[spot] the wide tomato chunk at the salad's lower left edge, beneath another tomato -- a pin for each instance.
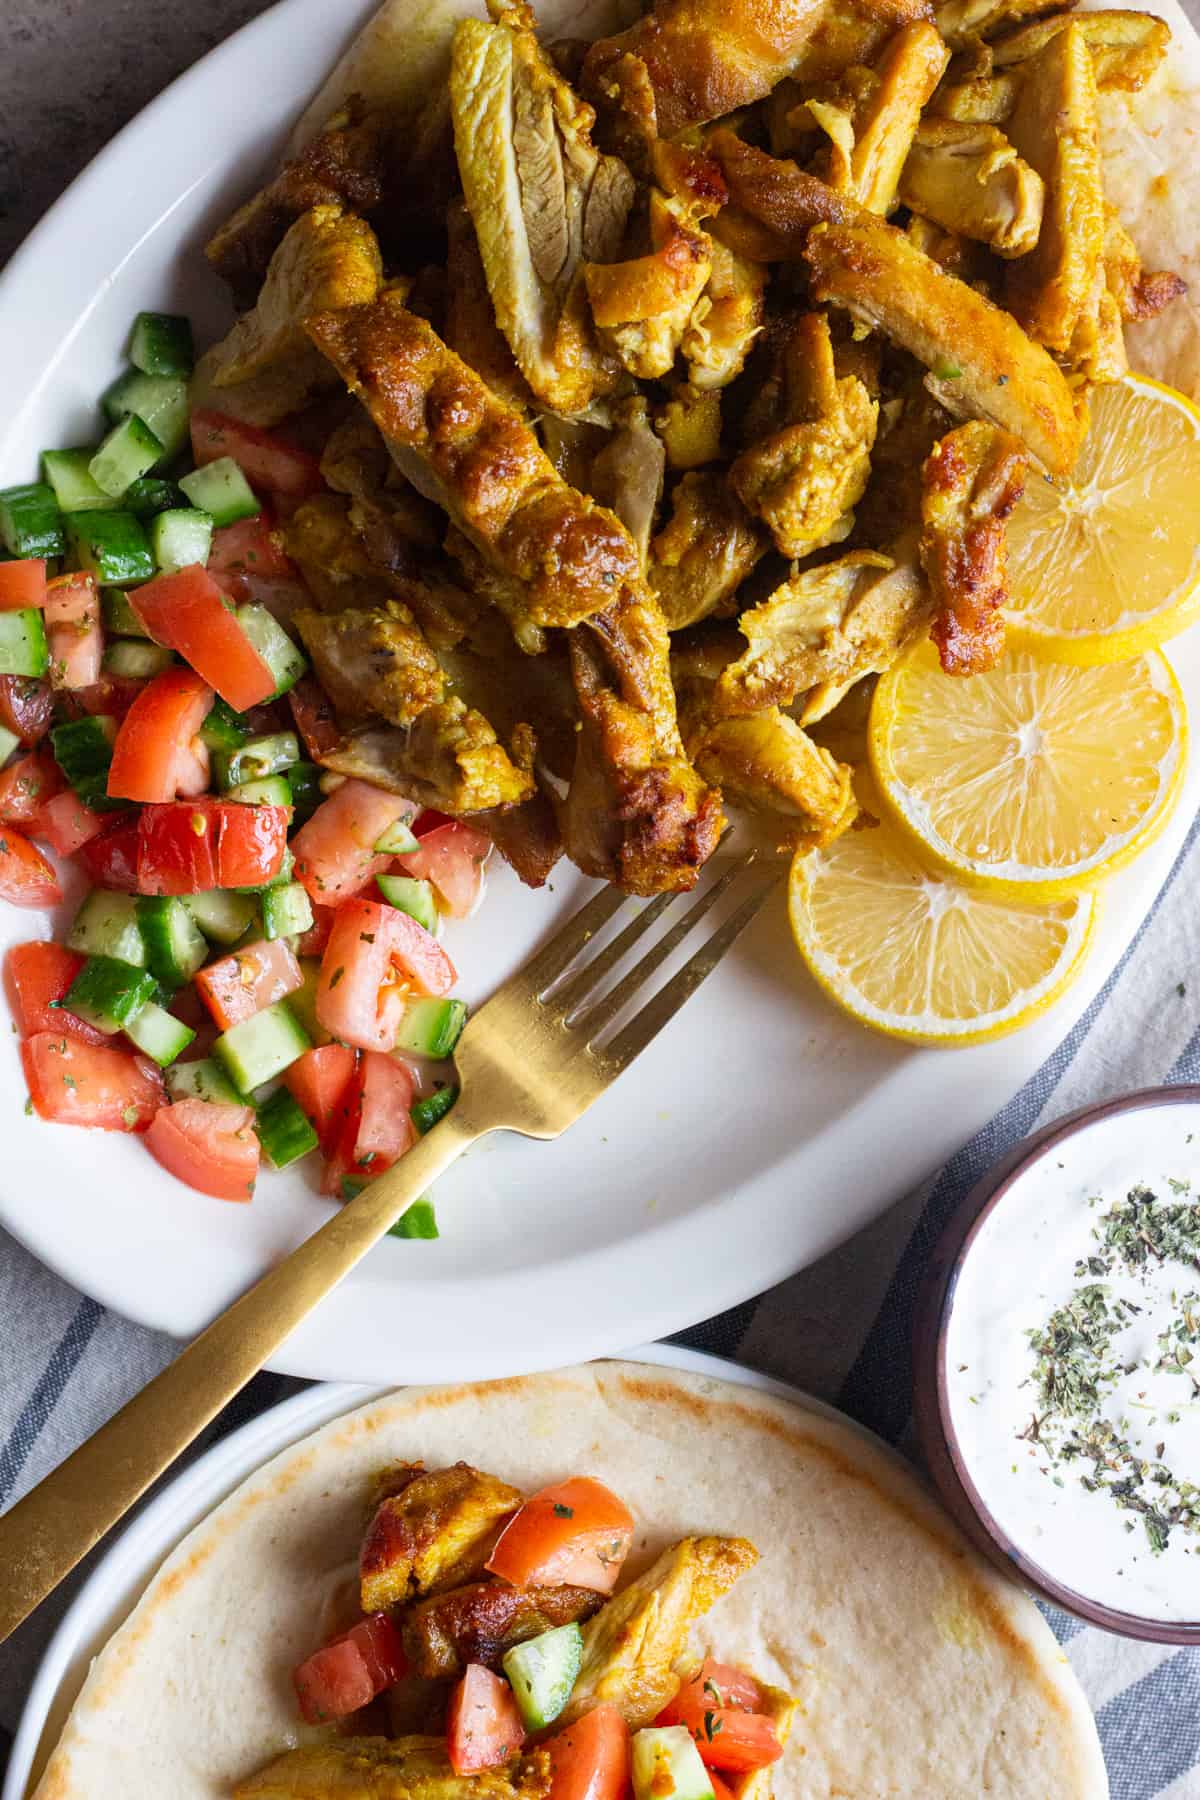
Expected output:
(91, 1084)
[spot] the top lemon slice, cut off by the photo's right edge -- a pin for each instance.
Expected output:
(1107, 564)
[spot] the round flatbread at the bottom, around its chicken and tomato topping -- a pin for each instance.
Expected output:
(918, 1669)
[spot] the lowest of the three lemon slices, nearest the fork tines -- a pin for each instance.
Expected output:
(920, 957)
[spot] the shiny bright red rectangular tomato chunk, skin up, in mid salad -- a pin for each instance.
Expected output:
(192, 845)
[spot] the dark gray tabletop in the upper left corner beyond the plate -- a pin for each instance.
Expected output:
(73, 73)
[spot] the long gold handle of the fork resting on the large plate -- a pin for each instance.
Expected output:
(60, 1520)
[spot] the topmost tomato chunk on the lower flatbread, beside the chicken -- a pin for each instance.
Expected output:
(575, 1533)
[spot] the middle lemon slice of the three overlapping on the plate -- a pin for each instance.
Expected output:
(1035, 778)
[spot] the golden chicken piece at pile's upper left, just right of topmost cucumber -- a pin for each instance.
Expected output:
(267, 364)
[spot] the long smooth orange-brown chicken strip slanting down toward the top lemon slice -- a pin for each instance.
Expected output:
(981, 361)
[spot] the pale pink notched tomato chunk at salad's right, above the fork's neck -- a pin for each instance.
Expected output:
(377, 957)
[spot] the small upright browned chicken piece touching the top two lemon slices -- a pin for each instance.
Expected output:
(972, 481)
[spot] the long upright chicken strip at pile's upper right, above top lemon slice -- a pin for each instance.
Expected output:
(1055, 127)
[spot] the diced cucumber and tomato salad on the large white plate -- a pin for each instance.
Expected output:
(256, 969)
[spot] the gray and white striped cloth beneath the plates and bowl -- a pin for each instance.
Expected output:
(839, 1331)
